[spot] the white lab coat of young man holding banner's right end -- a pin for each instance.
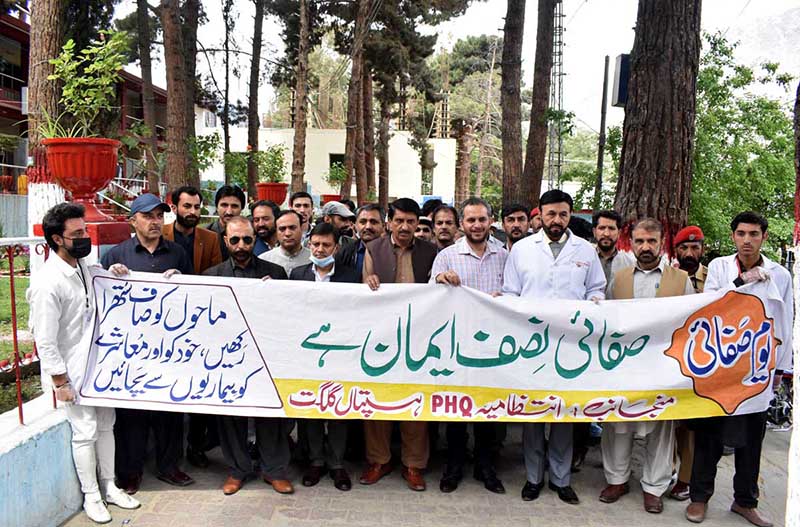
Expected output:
(724, 270)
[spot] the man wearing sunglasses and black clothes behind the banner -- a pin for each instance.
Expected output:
(271, 433)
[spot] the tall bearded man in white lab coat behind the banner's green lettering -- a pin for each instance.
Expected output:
(552, 264)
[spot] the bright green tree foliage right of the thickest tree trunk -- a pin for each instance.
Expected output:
(744, 149)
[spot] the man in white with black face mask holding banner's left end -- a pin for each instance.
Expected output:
(62, 304)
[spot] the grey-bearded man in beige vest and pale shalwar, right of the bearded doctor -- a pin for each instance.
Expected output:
(651, 277)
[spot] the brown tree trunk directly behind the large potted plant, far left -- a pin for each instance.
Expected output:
(47, 28)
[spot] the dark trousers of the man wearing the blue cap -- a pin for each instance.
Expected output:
(131, 432)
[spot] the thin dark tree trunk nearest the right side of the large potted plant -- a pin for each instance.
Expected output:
(148, 100)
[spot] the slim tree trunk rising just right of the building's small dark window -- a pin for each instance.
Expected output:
(354, 97)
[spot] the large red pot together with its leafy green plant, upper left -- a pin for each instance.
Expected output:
(78, 159)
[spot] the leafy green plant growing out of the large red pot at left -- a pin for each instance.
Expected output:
(89, 79)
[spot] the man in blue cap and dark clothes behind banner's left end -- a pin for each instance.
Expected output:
(147, 251)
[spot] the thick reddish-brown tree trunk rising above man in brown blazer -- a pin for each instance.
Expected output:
(177, 154)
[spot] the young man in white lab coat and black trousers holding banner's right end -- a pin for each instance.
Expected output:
(743, 432)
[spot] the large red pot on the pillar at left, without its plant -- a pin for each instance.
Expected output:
(83, 165)
